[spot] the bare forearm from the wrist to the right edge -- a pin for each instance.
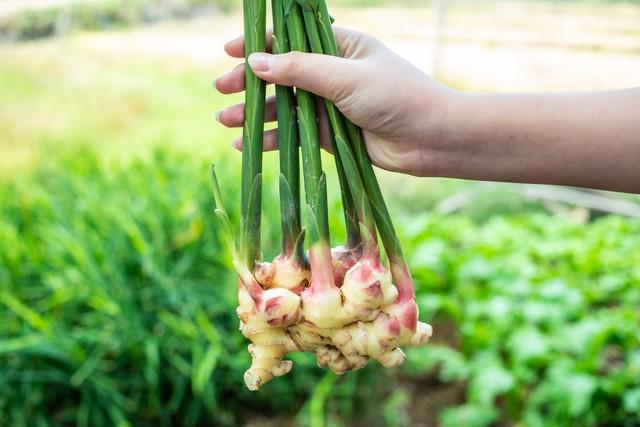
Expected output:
(589, 140)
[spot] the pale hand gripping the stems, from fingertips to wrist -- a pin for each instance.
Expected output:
(399, 108)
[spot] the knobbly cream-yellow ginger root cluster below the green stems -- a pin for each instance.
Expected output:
(340, 340)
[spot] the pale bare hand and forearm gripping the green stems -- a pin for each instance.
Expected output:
(415, 125)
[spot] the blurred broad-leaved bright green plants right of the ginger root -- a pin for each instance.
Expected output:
(546, 312)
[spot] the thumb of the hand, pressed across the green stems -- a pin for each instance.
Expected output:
(327, 76)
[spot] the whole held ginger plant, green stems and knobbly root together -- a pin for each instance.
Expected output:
(349, 304)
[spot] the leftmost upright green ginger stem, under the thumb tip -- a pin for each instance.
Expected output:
(252, 136)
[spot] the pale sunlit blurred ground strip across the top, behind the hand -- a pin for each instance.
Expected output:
(512, 47)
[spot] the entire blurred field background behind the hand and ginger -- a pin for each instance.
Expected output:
(117, 298)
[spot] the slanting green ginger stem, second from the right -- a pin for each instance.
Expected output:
(345, 162)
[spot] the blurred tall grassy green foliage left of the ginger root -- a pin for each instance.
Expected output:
(118, 300)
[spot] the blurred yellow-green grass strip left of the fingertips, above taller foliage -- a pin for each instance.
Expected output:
(120, 108)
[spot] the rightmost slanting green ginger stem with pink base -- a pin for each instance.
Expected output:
(381, 214)
